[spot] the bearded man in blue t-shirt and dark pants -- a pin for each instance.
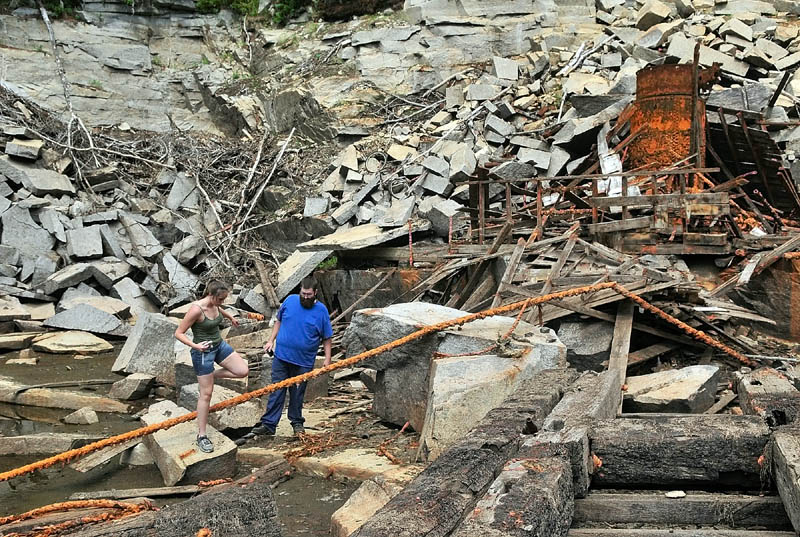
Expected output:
(303, 323)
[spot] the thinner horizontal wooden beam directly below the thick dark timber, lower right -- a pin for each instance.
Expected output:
(737, 510)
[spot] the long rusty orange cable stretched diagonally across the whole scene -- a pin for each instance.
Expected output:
(67, 456)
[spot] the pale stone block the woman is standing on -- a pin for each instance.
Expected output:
(176, 453)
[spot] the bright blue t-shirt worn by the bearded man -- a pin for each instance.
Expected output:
(301, 332)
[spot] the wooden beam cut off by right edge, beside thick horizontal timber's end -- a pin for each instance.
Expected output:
(786, 471)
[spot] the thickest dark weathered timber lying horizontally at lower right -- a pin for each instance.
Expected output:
(716, 450)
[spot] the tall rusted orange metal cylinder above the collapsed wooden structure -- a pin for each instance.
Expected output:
(663, 113)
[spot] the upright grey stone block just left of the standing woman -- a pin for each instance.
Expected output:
(149, 348)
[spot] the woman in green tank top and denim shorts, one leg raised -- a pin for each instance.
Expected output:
(208, 348)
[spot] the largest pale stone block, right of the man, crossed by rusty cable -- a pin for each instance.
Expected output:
(446, 399)
